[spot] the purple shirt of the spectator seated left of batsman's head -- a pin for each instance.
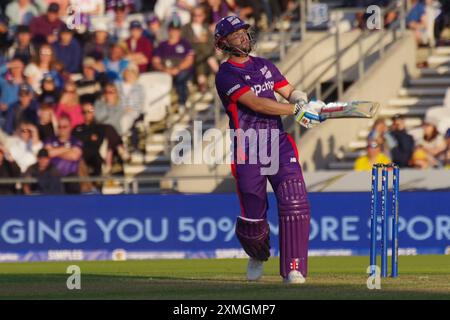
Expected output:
(173, 54)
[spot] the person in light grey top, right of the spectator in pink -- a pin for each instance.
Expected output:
(109, 109)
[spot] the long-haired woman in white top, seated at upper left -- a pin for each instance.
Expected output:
(45, 62)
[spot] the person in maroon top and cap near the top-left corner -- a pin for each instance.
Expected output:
(45, 28)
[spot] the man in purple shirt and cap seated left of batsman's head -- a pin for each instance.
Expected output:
(175, 57)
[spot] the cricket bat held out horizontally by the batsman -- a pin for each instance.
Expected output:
(352, 109)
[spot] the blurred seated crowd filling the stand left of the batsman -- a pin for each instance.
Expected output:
(69, 71)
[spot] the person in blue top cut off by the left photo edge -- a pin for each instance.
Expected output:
(10, 80)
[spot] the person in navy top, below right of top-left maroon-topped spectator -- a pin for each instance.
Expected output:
(68, 50)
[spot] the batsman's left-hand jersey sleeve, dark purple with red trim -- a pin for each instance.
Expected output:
(230, 85)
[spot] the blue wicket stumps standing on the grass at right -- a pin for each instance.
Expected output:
(384, 218)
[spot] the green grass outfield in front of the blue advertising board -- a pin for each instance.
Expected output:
(421, 277)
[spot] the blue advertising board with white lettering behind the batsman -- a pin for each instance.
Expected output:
(99, 227)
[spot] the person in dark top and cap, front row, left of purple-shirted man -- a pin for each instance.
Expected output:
(49, 179)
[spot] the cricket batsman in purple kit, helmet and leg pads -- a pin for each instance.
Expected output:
(246, 86)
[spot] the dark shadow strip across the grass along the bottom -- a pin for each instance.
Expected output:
(53, 286)
